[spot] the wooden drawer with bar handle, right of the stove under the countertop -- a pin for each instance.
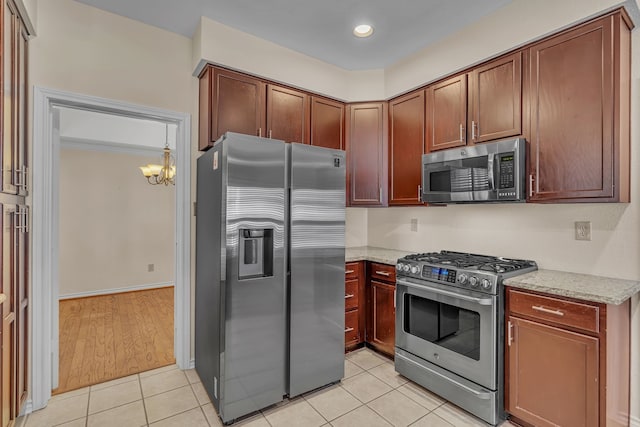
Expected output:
(568, 313)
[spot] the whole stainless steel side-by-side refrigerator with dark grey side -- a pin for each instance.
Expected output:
(269, 271)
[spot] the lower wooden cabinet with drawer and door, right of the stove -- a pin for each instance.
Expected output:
(567, 361)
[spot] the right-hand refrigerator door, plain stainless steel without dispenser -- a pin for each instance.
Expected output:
(316, 235)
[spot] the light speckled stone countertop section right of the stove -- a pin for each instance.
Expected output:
(574, 285)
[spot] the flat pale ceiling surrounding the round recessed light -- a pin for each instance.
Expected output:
(319, 28)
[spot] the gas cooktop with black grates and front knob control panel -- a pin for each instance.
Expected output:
(463, 270)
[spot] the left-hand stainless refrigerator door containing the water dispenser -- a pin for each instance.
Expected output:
(253, 361)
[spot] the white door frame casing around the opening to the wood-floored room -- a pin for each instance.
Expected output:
(44, 231)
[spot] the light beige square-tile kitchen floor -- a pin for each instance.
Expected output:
(371, 394)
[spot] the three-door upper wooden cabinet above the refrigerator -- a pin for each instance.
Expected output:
(235, 102)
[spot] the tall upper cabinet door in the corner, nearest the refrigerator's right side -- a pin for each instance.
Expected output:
(366, 152)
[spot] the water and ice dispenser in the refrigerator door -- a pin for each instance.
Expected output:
(255, 256)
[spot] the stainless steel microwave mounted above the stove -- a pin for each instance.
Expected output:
(491, 172)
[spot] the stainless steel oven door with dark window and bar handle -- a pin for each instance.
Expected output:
(453, 328)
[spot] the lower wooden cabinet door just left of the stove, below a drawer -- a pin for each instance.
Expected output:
(382, 316)
